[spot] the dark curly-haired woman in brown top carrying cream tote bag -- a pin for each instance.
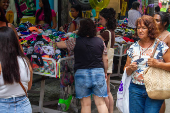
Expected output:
(108, 20)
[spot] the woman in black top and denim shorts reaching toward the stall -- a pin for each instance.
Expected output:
(90, 66)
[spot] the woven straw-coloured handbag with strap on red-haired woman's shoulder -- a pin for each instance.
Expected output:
(157, 81)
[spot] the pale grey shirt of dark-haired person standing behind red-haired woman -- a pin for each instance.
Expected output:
(133, 15)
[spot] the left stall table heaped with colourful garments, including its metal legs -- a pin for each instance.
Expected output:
(38, 42)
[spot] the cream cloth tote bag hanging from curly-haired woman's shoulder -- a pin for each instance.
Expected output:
(110, 54)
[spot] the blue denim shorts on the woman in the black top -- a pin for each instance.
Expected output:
(90, 81)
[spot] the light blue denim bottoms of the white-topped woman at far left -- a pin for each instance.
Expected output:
(15, 105)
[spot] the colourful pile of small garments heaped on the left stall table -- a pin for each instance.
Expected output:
(39, 42)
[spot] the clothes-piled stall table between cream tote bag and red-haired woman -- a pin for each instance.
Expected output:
(124, 37)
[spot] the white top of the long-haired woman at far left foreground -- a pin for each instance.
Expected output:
(15, 90)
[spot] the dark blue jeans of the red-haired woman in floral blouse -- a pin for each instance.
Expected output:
(139, 102)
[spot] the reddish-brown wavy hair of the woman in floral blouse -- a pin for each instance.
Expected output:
(150, 23)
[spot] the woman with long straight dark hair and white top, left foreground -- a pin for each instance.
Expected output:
(15, 74)
